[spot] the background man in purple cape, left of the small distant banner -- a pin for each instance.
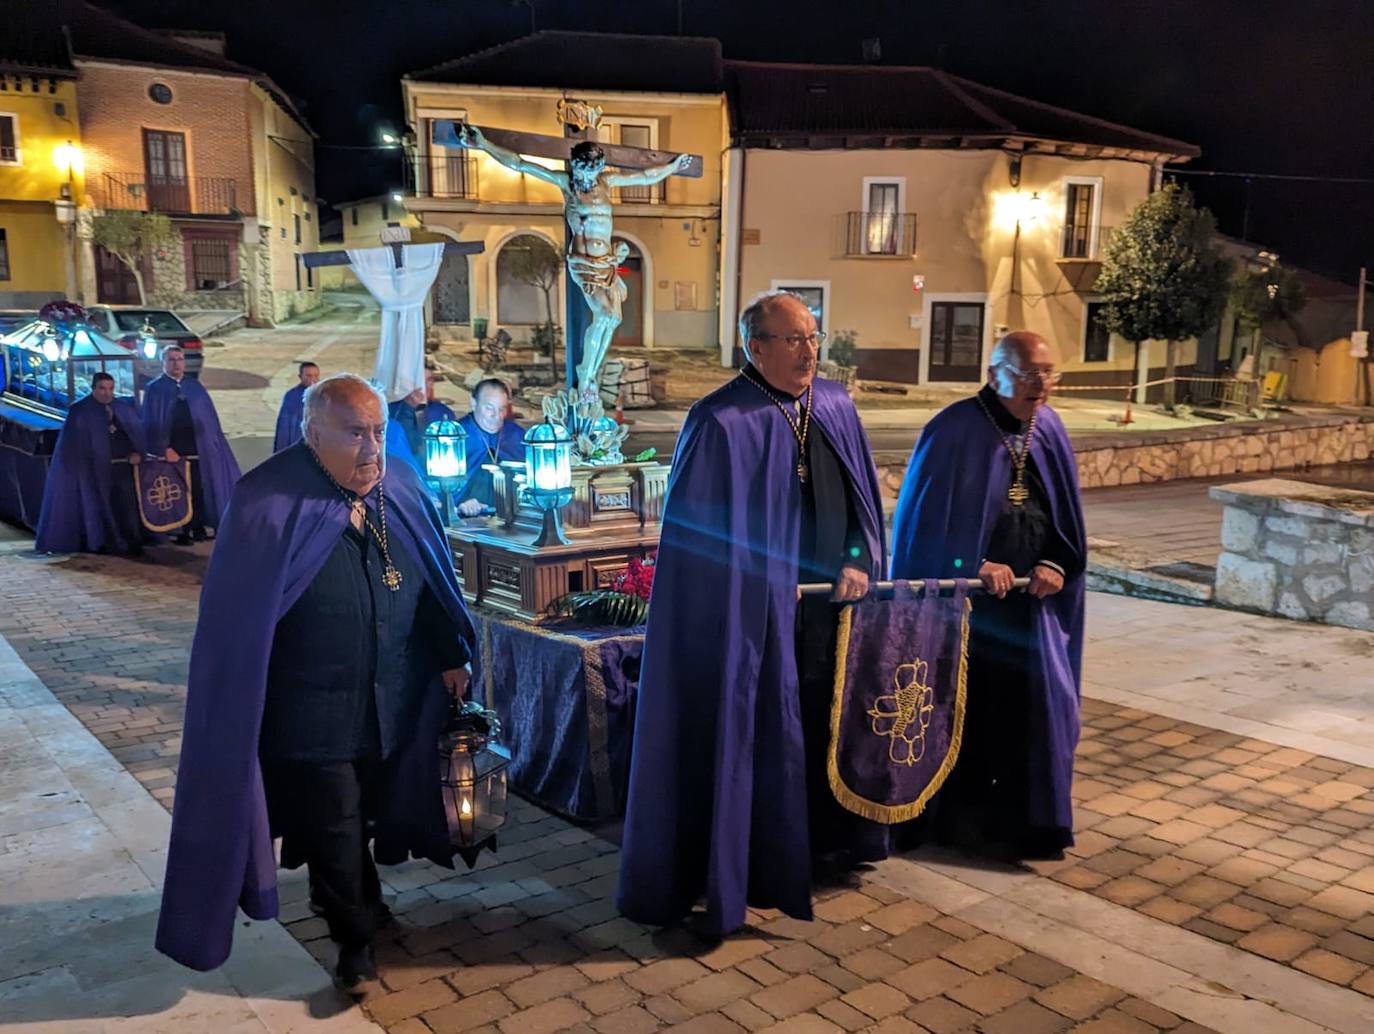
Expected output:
(90, 505)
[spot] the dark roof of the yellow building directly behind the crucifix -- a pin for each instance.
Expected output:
(590, 61)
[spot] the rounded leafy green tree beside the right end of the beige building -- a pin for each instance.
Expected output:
(1163, 275)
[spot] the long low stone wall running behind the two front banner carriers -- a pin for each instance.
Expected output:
(1131, 458)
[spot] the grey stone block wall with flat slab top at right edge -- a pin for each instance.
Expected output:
(1299, 551)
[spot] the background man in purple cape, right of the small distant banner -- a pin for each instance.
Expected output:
(179, 420)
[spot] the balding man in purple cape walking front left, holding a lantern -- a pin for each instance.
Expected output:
(328, 748)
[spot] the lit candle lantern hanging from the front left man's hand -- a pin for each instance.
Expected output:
(473, 778)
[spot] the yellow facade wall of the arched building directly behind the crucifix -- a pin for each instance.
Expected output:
(512, 203)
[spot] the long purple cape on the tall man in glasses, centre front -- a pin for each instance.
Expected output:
(718, 786)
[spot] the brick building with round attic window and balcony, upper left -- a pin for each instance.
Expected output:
(170, 124)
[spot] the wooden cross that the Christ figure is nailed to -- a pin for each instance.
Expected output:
(446, 134)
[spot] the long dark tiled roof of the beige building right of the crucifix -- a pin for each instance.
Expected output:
(872, 105)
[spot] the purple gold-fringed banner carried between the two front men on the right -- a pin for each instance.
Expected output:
(898, 713)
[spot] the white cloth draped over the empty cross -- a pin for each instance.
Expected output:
(402, 293)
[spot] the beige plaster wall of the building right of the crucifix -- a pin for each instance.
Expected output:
(967, 244)
